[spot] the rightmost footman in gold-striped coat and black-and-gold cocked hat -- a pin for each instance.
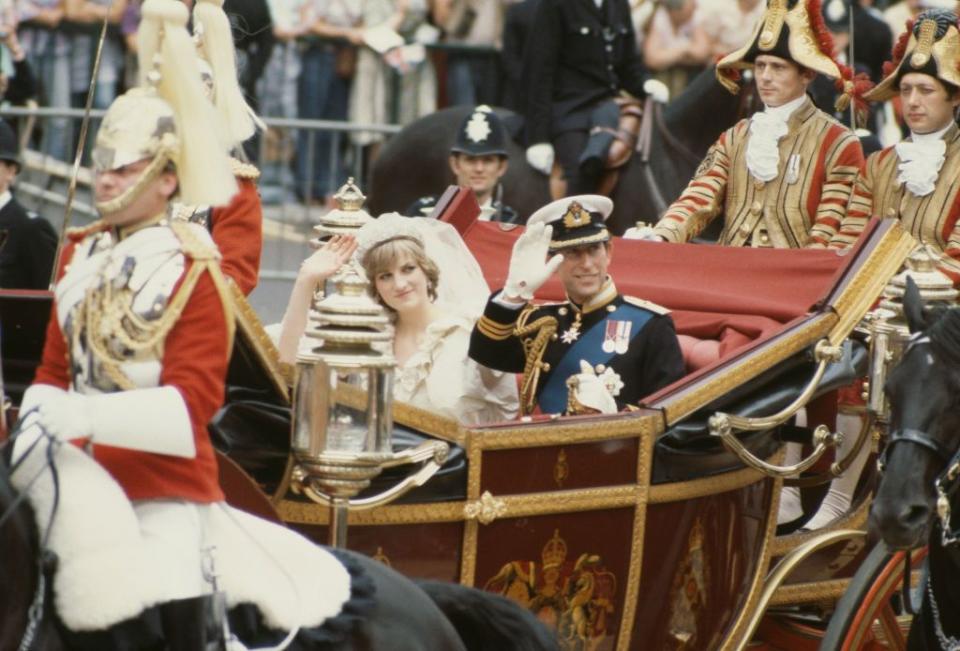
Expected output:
(918, 180)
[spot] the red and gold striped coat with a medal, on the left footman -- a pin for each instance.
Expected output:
(803, 207)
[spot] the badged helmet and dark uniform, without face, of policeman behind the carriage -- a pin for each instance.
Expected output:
(480, 134)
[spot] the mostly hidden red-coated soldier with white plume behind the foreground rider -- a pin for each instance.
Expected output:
(237, 228)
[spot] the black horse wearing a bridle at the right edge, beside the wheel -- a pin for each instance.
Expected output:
(920, 467)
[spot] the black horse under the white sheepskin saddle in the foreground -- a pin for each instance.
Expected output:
(395, 613)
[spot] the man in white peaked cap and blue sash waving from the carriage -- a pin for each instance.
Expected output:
(613, 349)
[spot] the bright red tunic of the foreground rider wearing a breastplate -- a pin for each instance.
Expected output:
(195, 363)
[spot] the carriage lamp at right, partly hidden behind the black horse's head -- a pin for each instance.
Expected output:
(887, 325)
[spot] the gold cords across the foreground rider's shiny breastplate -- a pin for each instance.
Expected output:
(105, 314)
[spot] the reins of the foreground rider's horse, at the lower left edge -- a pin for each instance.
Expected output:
(45, 558)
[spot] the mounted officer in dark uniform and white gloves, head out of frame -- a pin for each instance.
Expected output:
(581, 55)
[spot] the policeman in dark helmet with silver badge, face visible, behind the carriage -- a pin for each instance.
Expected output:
(478, 160)
